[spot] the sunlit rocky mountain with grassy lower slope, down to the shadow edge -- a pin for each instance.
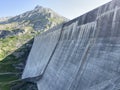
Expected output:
(26, 26)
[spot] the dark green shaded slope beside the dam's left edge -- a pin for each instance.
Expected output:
(11, 67)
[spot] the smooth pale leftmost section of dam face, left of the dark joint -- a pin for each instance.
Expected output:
(47, 43)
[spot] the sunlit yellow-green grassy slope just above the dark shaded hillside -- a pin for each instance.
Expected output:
(10, 44)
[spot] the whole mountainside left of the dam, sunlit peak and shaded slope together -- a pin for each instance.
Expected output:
(16, 38)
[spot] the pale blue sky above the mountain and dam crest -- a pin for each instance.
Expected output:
(67, 8)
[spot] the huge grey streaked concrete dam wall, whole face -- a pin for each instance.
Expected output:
(82, 54)
